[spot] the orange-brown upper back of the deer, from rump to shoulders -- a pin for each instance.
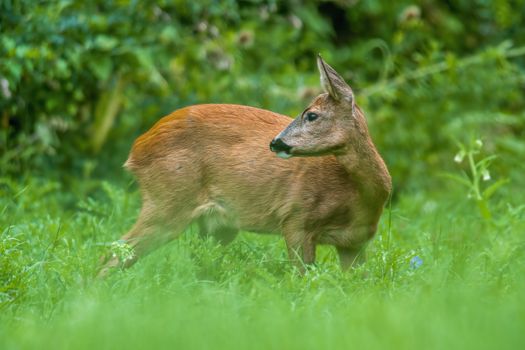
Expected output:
(201, 127)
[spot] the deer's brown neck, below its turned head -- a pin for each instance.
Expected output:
(368, 173)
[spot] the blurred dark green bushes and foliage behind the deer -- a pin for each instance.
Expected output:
(80, 80)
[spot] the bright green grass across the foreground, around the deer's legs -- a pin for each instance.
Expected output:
(469, 291)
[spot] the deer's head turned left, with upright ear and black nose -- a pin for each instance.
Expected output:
(329, 125)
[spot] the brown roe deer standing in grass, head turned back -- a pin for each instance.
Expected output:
(320, 181)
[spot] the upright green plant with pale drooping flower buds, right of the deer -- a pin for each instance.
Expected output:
(476, 179)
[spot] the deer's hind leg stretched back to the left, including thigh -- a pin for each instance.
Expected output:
(171, 189)
